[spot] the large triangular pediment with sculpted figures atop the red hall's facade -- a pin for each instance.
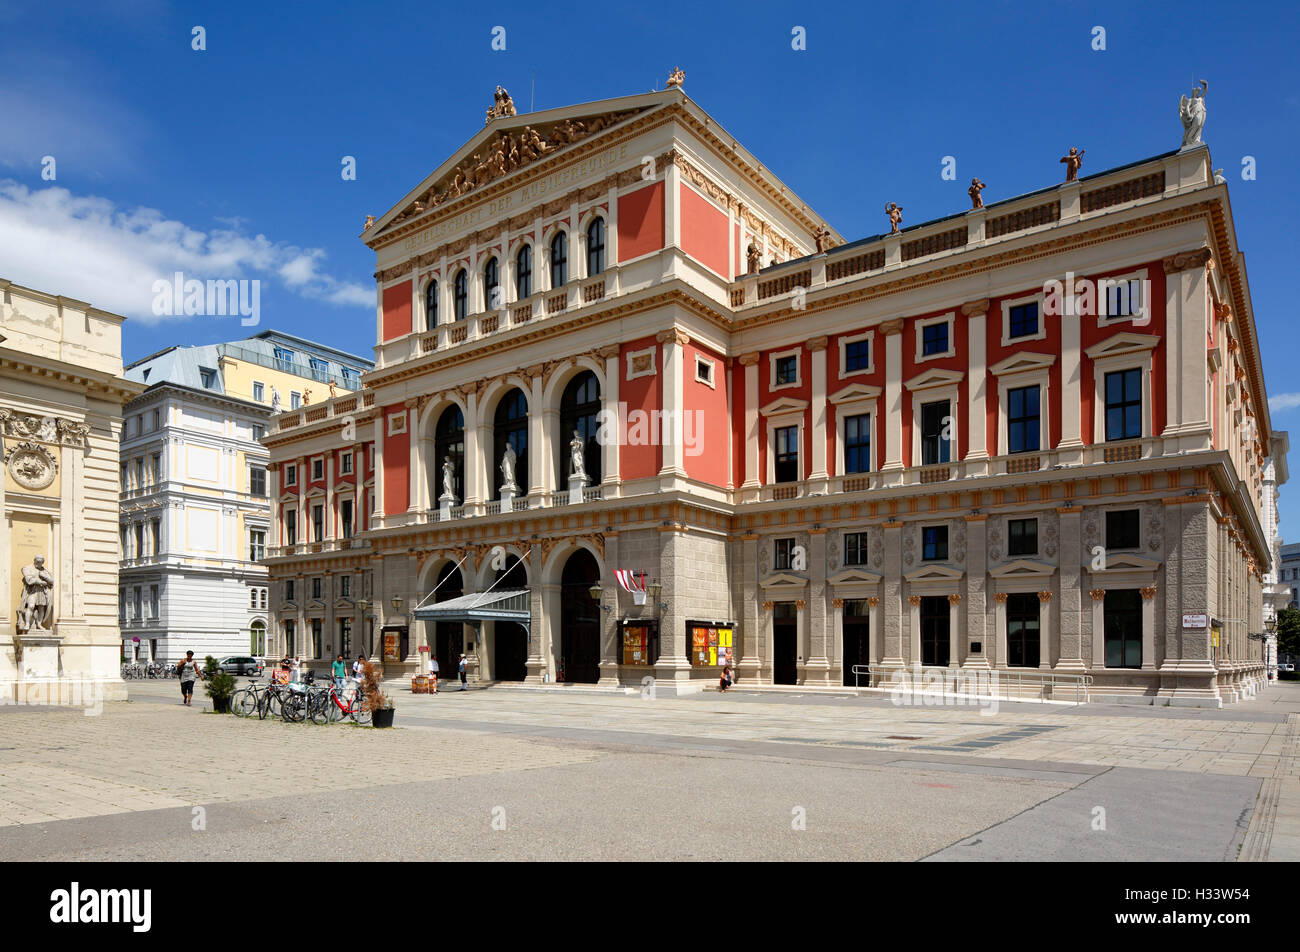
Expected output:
(508, 145)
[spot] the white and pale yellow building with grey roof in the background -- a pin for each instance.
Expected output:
(194, 508)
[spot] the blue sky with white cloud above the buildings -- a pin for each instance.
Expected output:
(227, 162)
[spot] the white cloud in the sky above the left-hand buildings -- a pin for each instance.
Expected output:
(88, 248)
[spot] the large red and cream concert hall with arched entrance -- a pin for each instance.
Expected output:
(1029, 436)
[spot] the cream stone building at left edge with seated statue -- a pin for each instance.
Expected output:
(62, 396)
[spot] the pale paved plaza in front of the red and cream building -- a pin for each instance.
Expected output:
(556, 773)
